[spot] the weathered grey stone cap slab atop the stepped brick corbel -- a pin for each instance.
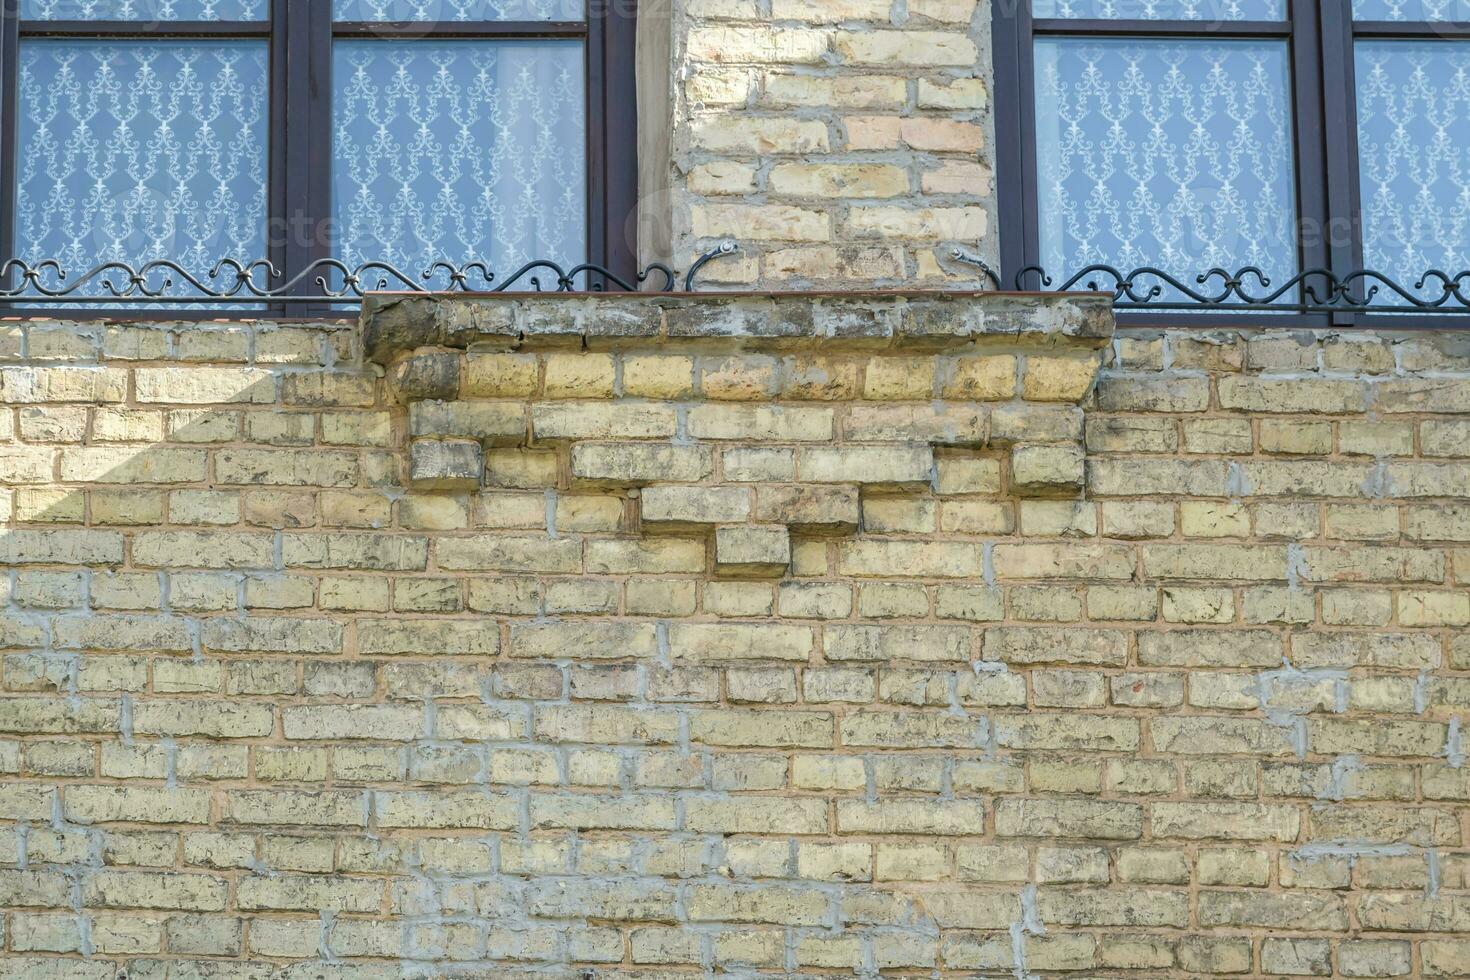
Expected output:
(871, 320)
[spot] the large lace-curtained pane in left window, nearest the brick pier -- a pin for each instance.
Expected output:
(459, 151)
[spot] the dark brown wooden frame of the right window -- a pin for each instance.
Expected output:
(1321, 37)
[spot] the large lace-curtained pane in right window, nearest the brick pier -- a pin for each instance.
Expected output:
(1165, 154)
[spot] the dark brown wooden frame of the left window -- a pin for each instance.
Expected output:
(301, 35)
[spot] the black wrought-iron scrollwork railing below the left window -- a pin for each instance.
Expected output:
(324, 283)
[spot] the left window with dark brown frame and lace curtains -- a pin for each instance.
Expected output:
(402, 133)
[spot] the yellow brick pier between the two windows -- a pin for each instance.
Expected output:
(840, 142)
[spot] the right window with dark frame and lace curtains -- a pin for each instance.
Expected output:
(1305, 149)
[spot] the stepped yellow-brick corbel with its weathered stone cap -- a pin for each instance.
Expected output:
(849, 396)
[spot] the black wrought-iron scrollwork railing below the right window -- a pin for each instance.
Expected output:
(1311, 292)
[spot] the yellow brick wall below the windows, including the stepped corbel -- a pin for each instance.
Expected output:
(747, 634)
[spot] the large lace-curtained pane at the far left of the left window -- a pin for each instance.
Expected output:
(140, 151)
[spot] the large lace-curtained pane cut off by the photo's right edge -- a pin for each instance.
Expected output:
(1413, 156)
